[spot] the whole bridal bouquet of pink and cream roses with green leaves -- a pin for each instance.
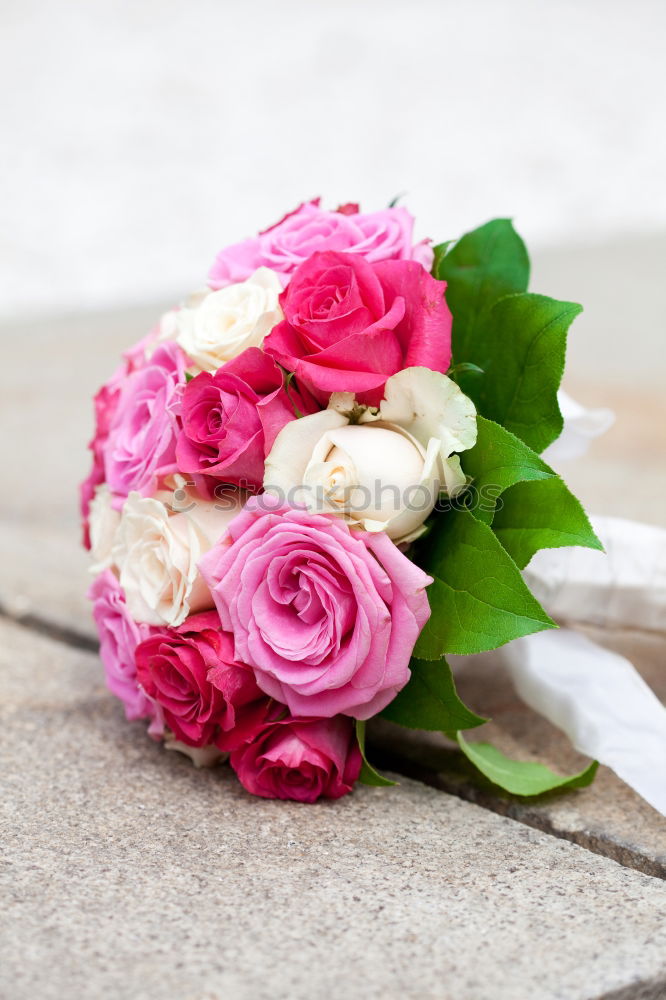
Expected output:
(314, 480)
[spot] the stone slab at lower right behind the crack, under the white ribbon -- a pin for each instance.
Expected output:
(607, 817)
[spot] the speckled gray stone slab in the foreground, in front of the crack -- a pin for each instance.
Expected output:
(127, 873)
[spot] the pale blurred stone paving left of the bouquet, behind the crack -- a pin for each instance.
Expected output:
(50, 371)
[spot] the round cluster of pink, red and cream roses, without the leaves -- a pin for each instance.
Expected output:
(262, 461)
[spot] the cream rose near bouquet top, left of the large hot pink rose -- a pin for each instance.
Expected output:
(220, 325)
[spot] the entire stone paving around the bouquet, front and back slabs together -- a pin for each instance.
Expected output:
(130, 874)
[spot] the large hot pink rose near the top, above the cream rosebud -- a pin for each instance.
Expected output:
(349, 324)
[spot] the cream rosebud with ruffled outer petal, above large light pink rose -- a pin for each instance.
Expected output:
(383, 472)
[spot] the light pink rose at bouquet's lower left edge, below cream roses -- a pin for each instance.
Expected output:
(119, 636)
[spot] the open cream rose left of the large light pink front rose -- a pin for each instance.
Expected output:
(157, 554)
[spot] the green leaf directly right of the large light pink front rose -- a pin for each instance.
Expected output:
(478, 600)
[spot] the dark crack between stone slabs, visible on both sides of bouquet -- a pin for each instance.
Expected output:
(619, 853)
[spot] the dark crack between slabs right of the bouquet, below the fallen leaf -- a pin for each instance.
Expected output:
(622, 854)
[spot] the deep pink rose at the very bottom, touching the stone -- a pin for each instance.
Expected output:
(300, 759)
